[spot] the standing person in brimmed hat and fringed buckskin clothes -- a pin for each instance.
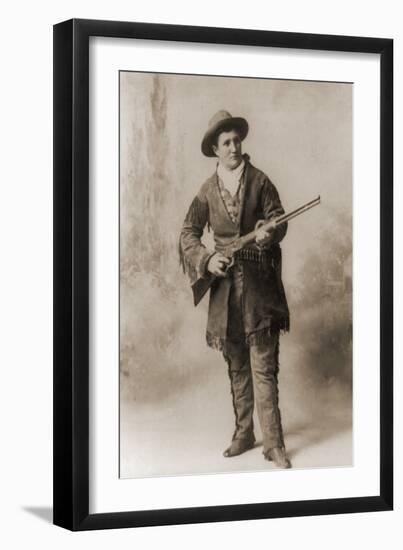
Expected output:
(248, 308)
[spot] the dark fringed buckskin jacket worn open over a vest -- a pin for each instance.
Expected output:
(265, 306)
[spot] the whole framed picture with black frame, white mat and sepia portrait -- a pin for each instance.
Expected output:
(223, 274)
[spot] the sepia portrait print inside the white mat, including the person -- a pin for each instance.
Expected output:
(236, 333)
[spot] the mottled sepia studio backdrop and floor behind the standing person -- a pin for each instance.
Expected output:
(176, 415)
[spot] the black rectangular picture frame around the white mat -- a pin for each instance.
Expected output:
(71, 273)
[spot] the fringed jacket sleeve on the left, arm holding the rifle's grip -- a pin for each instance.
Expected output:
(193, 255)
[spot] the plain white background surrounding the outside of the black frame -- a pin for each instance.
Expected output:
(26, 308)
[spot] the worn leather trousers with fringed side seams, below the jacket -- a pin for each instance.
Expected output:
(253, 372)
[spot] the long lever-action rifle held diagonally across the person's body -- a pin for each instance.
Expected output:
(201, 286)
